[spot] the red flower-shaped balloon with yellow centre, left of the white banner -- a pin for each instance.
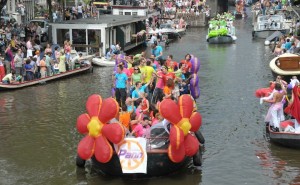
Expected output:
(99, 133)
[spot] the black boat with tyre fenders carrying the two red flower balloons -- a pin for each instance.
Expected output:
(158, 162)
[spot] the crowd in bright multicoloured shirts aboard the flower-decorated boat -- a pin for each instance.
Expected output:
(140, 84)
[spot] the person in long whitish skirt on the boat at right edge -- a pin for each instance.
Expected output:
(275, 113)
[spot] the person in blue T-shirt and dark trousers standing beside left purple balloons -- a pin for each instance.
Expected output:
(120, 82)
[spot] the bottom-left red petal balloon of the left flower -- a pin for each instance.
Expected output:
(86, 147)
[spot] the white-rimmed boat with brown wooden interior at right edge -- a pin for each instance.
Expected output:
(286, 65)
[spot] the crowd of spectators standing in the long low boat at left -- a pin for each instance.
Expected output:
(29, 63)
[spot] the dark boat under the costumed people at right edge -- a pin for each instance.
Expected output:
(287, 139)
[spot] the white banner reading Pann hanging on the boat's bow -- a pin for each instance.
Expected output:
(133, 155)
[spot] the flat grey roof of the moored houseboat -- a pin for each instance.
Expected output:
(112, 20)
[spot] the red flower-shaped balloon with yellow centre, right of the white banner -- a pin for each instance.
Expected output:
(183, 120)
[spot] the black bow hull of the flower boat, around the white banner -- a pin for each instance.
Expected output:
(158, 164)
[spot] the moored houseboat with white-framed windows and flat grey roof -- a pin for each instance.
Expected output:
(96, 35)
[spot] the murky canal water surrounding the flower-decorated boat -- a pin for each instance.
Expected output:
(38, 138)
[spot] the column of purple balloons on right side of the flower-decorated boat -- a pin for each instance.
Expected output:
(194, 82)
